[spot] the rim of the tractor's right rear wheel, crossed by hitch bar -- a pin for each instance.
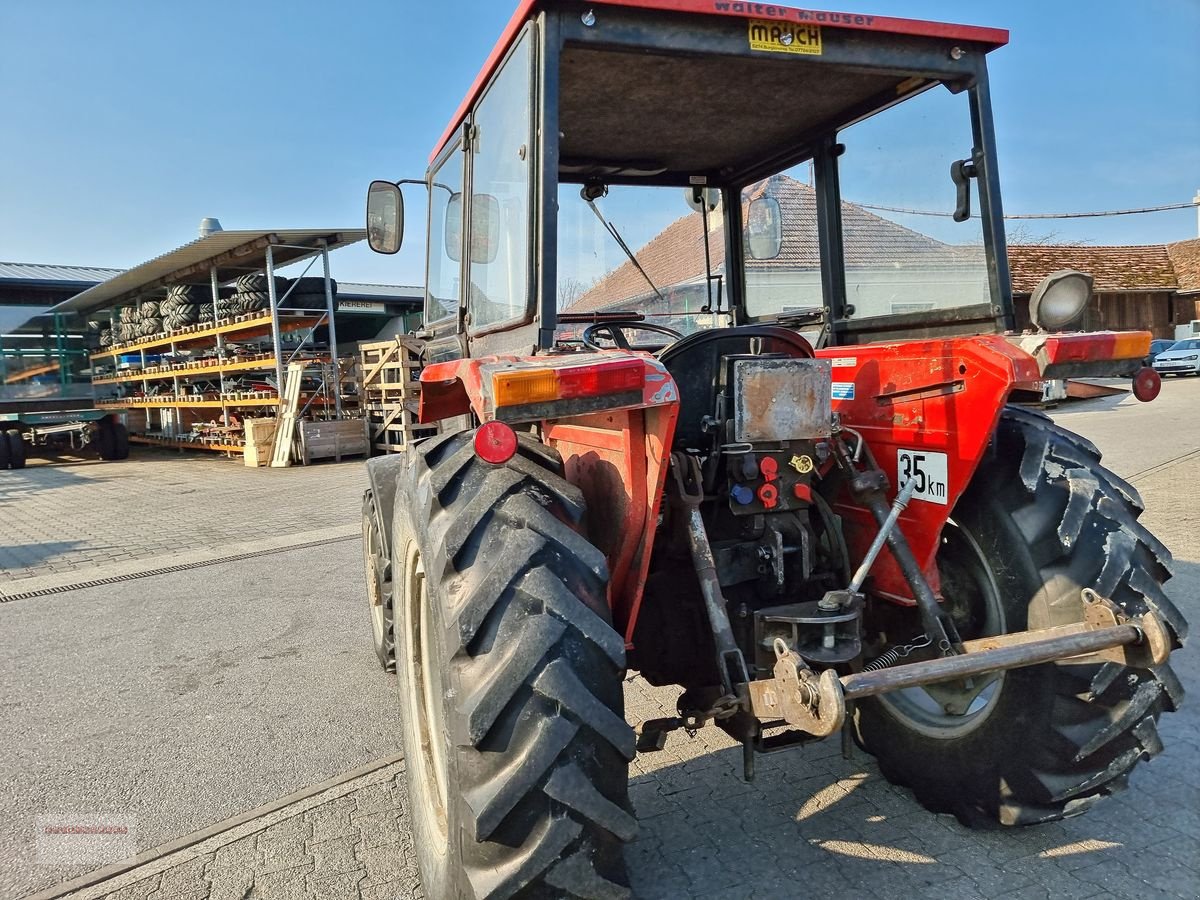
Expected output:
(979, 613)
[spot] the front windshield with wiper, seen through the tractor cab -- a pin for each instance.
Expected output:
(668, 285)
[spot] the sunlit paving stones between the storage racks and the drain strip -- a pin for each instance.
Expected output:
(61, 520)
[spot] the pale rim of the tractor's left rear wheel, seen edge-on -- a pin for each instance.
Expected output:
(423, 686)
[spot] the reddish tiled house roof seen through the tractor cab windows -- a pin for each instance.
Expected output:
(677, 255)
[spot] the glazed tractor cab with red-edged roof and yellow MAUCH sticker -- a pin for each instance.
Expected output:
(699, 165)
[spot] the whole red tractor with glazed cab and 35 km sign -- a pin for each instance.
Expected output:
(769, 458)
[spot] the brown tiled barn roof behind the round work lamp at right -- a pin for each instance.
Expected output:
(1137, 268)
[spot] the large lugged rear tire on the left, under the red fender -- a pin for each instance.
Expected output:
(511, 680)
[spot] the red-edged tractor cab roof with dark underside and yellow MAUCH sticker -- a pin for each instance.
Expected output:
(664, 91)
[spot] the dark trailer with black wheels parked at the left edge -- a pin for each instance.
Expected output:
(99, 431)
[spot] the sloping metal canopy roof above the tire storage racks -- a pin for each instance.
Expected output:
(231, 254)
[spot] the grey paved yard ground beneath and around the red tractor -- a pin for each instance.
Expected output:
(183, 699)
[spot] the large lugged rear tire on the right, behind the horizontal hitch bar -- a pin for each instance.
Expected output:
(1041, 523)
